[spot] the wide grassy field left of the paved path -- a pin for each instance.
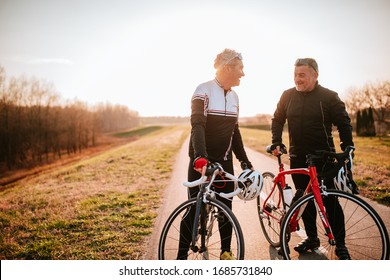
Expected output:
(100, 208)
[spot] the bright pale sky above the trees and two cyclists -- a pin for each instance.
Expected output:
(150, 55)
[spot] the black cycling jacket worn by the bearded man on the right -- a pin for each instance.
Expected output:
(310, 117)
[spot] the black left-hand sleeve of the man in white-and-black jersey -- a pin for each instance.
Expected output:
(198, 127)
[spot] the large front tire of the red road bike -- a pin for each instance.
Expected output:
(366, 236)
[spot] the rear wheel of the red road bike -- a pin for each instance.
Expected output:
(270, 218)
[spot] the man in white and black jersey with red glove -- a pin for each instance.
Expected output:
(215, 135)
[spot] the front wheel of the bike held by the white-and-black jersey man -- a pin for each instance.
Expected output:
(219, 226)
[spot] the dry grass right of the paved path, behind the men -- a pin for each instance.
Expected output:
(371, 162)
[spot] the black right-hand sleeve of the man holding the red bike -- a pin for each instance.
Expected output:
(341, 119)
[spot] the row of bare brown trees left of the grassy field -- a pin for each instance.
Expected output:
(36, 125)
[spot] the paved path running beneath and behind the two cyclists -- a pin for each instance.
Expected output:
(256, 246)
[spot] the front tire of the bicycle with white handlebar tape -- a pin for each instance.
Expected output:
(170, 234)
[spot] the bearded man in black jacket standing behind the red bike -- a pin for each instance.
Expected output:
(311, 110)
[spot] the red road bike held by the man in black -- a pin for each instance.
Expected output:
(366, 236)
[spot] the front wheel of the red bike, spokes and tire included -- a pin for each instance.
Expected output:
(353, 222)
